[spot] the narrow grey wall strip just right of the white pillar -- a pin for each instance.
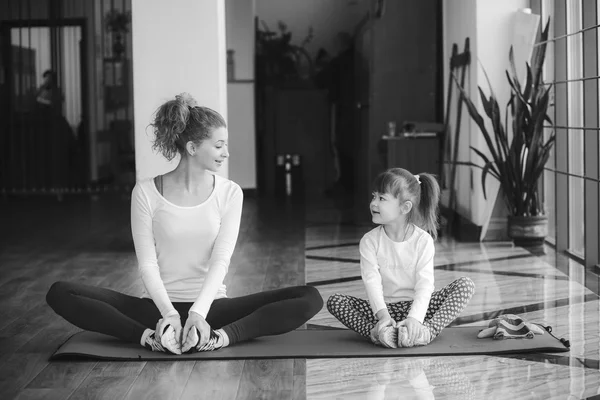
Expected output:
(240, 93)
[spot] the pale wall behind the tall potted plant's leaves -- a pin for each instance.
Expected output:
(490, 24)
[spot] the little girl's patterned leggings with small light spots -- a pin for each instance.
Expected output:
(445, 305)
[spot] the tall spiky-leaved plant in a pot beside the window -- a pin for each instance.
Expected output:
(518, 162)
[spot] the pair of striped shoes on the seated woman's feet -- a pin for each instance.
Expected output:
(168, 343)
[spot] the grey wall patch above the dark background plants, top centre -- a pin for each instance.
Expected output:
(327, 18)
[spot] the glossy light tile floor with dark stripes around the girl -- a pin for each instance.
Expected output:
(547, 289)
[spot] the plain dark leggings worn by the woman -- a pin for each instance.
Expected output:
(127, 317)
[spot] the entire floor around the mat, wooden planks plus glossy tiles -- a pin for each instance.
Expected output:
(78, 239)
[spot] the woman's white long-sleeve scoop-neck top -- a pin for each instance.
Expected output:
(184, 252)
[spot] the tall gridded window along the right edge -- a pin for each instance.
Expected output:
(571, 181)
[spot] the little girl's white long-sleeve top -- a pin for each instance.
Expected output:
(398, 271)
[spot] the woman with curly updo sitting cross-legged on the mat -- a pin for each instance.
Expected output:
(185, 225)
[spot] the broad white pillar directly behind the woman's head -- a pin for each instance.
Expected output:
(175, 52)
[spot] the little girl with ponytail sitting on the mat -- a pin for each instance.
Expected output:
(396, 261)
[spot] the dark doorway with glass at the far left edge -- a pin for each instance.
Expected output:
(44, 125)
